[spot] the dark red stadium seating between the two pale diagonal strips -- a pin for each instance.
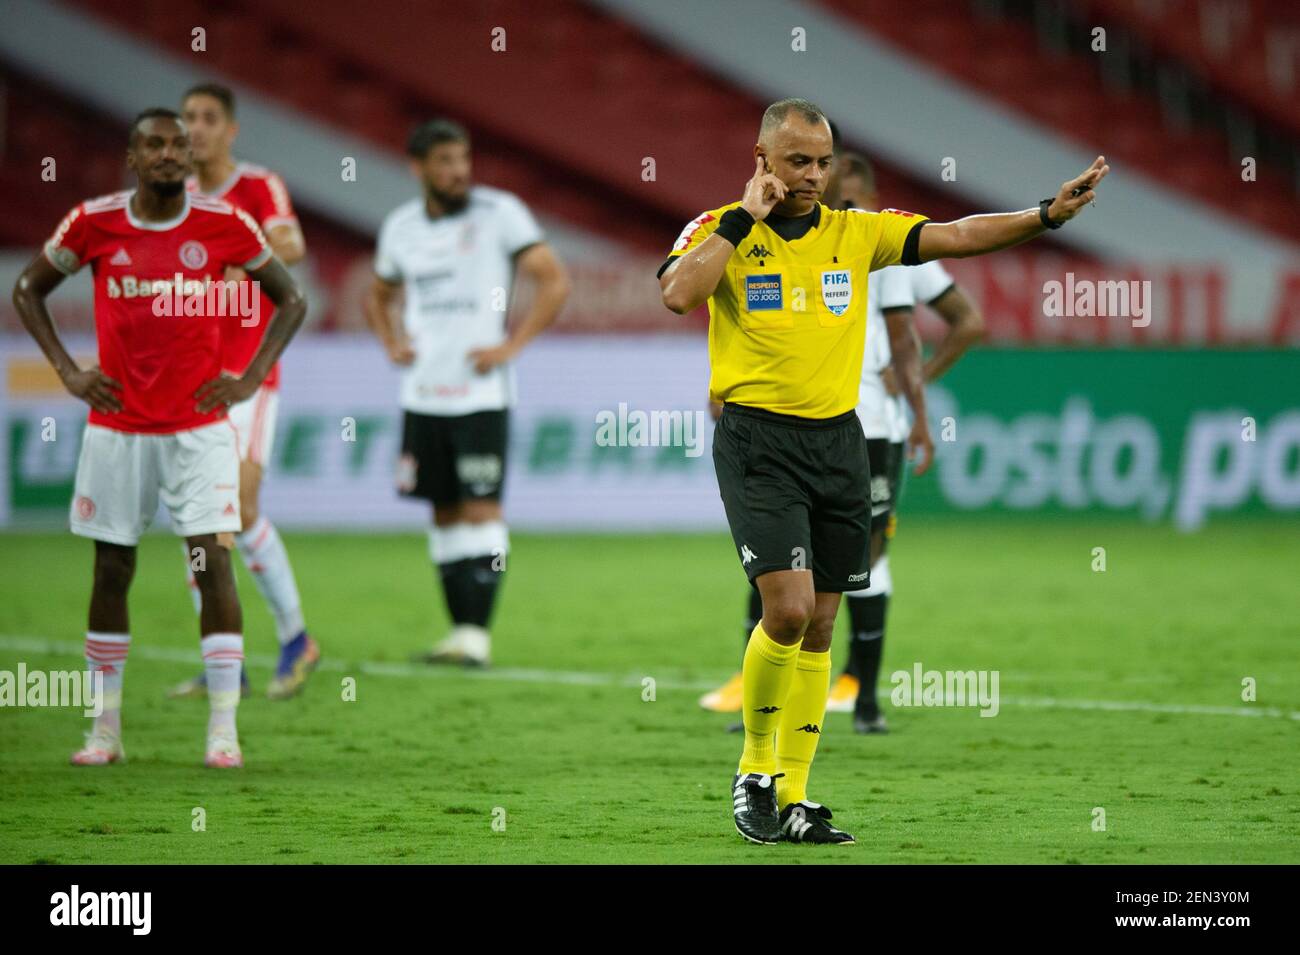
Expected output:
(597, 73)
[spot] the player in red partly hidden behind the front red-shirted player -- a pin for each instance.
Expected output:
(210, 114)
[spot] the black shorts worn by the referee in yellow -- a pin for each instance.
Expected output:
(798, 494)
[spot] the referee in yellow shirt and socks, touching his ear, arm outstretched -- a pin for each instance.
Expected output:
(786, 280)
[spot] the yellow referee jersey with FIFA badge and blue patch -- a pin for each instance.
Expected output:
(788, 323)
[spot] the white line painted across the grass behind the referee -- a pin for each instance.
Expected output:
(40, 645)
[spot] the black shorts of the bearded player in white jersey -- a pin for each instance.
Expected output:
(449, 459)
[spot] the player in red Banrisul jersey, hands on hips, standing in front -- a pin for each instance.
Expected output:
(158, 427)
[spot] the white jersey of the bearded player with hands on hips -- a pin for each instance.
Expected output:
(457, 272)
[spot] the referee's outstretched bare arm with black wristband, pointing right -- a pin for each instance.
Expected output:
(980, 235)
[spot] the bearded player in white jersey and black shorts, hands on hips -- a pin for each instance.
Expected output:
(453, 254)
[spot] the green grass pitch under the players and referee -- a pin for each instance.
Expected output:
(1121, 691)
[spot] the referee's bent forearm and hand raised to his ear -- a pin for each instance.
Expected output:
(690, 281)
